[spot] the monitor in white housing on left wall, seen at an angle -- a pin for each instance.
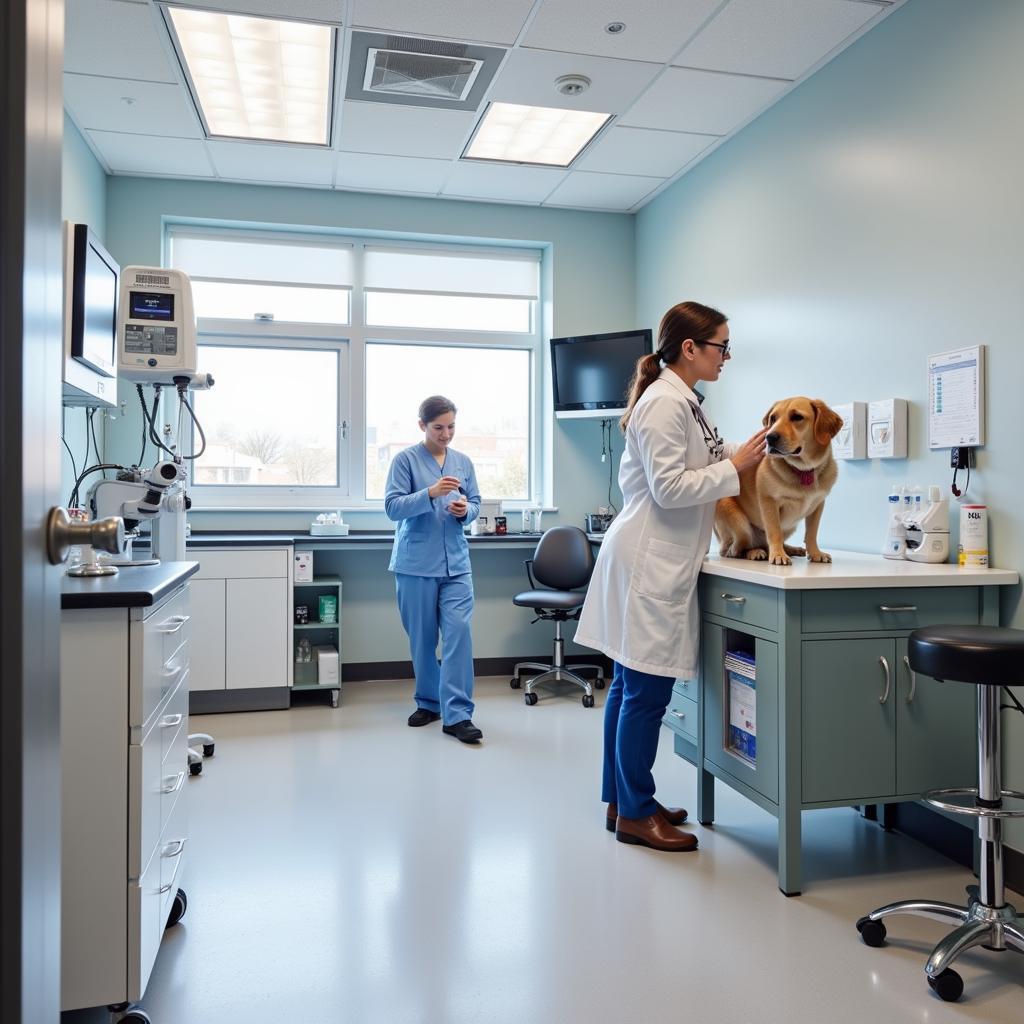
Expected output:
(92, 279)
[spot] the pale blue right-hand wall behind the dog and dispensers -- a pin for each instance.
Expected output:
(871, 219)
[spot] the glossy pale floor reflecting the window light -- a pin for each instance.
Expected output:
(345, 868)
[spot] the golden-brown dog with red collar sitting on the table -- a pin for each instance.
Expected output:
(790, 485)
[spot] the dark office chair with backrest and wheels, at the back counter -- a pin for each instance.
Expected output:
(563, 563)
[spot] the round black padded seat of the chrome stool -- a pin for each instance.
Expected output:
(987, 656)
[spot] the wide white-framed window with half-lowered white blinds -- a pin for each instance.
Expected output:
(323, 349)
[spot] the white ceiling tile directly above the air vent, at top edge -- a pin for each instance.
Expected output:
(465, 20)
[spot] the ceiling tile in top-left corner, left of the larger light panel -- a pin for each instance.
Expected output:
(117, 40)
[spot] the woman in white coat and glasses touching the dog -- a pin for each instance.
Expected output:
(642, 605)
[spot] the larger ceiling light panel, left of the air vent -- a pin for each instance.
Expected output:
(258, 77)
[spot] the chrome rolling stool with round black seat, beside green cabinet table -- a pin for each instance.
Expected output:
(990, 658)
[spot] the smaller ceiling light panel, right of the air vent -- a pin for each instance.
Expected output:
(546, 136)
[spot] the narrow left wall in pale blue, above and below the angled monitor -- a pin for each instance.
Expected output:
(83, 199)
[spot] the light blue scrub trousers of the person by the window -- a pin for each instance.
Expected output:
(440, 606)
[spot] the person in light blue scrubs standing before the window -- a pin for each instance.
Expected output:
(432, 493)
